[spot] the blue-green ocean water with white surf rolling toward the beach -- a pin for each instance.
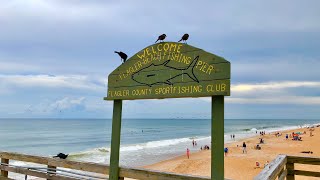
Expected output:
(143, 141)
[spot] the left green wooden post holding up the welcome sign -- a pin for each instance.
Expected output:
(115, 140)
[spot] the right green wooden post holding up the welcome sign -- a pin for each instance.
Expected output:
(217, 137)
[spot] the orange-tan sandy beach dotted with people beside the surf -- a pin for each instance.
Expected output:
(242, 166)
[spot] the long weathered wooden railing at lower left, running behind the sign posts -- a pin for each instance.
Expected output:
(60, 169)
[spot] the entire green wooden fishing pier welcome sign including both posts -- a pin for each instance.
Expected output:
(171, 70)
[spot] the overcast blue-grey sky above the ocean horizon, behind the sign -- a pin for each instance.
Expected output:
(55, 55)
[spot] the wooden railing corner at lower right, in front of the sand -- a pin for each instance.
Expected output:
(283, 167)
